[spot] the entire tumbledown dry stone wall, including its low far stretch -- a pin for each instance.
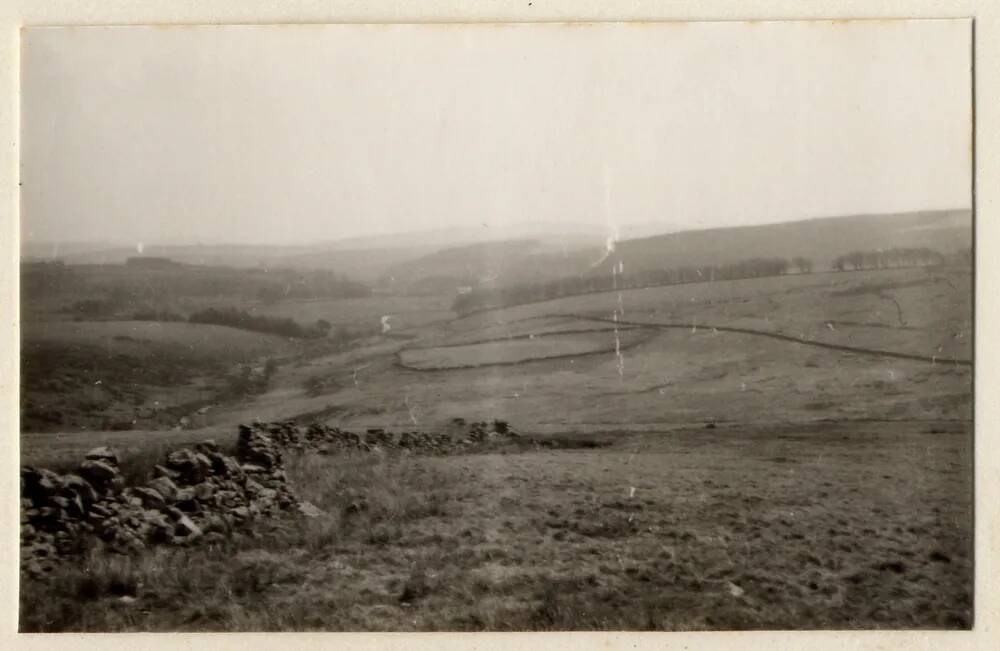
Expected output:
(199, 494)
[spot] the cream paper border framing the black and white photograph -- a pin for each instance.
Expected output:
(985, 157)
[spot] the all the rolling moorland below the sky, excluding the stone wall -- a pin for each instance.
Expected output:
(789, 450)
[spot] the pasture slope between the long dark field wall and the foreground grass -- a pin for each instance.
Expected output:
(672, 377)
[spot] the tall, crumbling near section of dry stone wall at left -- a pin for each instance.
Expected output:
(196, 494)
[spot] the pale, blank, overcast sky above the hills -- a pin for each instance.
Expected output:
(306, 134)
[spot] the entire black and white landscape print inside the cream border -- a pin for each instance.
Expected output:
(636, 326)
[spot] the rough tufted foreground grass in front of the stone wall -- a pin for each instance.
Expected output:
(707, 532)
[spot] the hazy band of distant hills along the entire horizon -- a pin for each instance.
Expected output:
(426, 261)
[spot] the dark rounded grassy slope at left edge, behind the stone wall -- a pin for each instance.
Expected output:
(131, 374)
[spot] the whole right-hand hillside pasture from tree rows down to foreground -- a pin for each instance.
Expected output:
(690, 374)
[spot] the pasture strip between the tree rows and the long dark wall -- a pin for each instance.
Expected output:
(926, 312)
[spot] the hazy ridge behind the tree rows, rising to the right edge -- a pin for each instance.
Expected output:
(498, 264)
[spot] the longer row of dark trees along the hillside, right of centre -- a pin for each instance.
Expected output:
(482, 298)
